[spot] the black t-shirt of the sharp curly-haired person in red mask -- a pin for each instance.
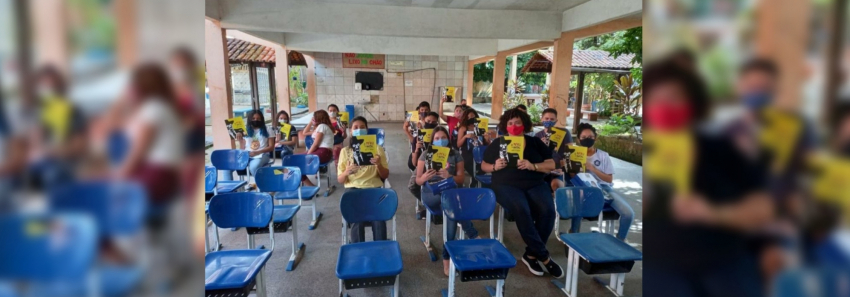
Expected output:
(535, 152)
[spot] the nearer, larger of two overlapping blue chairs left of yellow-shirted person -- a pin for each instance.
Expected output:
(283, 179)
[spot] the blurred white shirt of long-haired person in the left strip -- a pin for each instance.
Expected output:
(167, 147)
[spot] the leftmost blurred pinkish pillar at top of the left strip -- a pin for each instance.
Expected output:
(51, 34)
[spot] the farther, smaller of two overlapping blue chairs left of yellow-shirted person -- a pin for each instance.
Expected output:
(309, 165)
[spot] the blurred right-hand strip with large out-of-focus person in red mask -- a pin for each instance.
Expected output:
(748, 100)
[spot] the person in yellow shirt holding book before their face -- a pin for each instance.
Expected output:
(355, 177)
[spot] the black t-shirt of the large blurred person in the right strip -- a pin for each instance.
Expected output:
(723, 175)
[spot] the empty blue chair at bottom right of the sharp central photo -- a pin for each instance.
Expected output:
(594, 253)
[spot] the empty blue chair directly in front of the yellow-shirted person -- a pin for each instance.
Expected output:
(373, 263)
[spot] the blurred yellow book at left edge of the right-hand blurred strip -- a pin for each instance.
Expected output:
(668, 158)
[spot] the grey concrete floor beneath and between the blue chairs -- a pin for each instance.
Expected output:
(315, 271)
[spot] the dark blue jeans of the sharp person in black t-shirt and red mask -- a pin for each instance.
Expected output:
(534, 213)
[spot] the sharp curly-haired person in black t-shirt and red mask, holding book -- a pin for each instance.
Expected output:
(521, 190)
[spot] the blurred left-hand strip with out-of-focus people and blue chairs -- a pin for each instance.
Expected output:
(101, 147)
